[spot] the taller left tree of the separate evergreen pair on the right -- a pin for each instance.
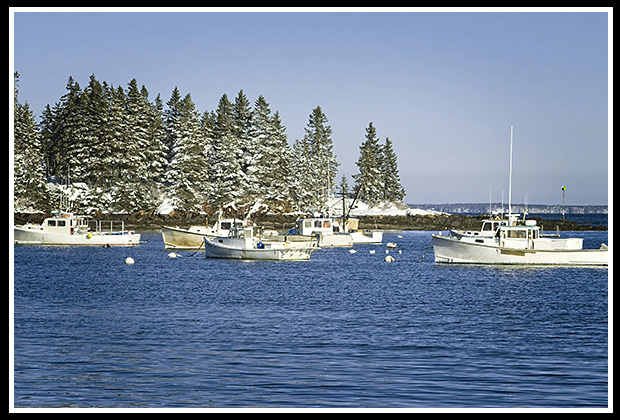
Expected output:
(369, 181)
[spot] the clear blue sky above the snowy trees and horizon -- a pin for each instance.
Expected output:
(444, 87)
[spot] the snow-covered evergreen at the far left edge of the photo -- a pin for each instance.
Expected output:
(29, 183)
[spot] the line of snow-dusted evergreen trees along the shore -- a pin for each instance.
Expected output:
(132, 153)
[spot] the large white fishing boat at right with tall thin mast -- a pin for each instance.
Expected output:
(514, 241)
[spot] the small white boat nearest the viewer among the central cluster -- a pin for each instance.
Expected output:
(247, 243)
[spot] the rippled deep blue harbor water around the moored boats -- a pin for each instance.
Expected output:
(340, 330)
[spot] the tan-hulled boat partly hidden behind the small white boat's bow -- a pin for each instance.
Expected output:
(193, 237)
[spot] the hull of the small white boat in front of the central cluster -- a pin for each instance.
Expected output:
(213, 249)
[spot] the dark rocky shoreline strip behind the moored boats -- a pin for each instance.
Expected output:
(152, 221)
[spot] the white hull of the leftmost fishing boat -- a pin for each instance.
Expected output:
(25, 236)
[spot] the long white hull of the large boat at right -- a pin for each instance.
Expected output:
(451, 250)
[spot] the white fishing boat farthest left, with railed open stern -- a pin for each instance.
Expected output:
(68, 229)
